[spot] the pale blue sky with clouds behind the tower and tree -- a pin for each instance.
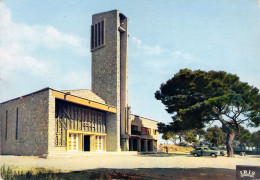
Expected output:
(46, 44)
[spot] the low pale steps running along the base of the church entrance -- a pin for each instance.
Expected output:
(87, 154)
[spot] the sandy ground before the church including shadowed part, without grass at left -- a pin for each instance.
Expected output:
(153, 166)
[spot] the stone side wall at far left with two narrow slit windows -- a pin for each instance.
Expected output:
(32, 136)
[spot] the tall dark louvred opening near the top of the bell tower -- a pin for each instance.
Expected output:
(97, 35)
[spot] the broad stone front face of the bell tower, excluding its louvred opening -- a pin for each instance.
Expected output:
(106, 73)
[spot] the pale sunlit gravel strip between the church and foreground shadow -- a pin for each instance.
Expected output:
(127, 162)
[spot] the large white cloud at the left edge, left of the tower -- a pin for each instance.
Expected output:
(19, 43)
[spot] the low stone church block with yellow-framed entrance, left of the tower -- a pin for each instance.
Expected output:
(28, 124)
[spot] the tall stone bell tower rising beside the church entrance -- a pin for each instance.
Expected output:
(109, 48)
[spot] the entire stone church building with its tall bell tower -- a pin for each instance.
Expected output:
(50, 121)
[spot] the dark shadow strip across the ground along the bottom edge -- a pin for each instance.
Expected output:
(142, 173)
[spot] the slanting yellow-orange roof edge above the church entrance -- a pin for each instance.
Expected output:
(82, 101)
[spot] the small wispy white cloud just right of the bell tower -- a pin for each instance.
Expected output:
(152, 50)
